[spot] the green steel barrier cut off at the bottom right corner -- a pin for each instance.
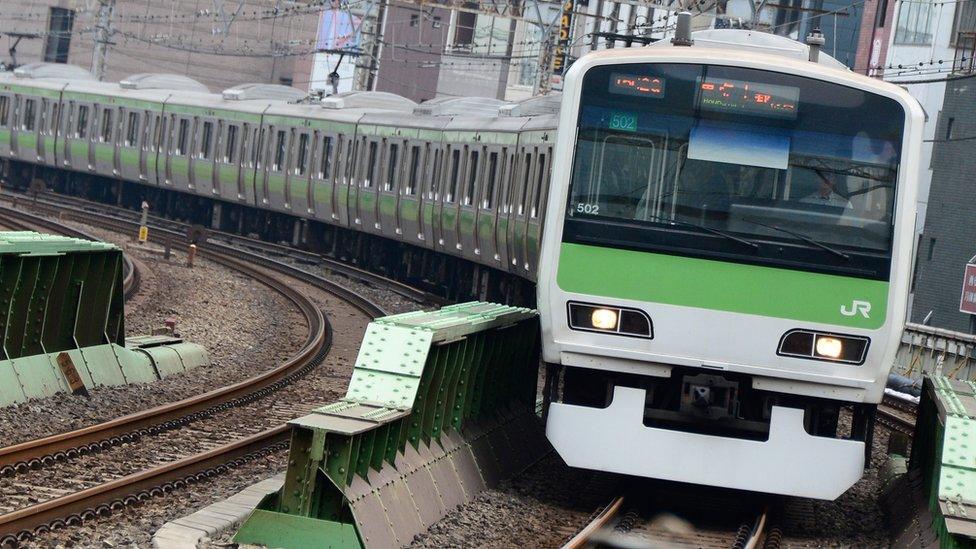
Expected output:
(944, 453)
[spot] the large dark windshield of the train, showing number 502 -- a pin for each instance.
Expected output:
(736, 164)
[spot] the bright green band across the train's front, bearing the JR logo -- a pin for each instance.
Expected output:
(718, 285)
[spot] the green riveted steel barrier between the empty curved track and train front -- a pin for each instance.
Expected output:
(440, 405)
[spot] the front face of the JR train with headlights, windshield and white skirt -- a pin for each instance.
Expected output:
(726, 263)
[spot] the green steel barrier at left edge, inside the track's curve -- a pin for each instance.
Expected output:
(62, 321)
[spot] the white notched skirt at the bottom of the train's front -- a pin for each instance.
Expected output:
(790, 462)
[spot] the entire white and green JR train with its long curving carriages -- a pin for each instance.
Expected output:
(728, 243)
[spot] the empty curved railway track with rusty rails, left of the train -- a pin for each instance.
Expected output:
(55, 482)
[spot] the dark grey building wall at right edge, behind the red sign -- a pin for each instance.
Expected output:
(949, 238)
